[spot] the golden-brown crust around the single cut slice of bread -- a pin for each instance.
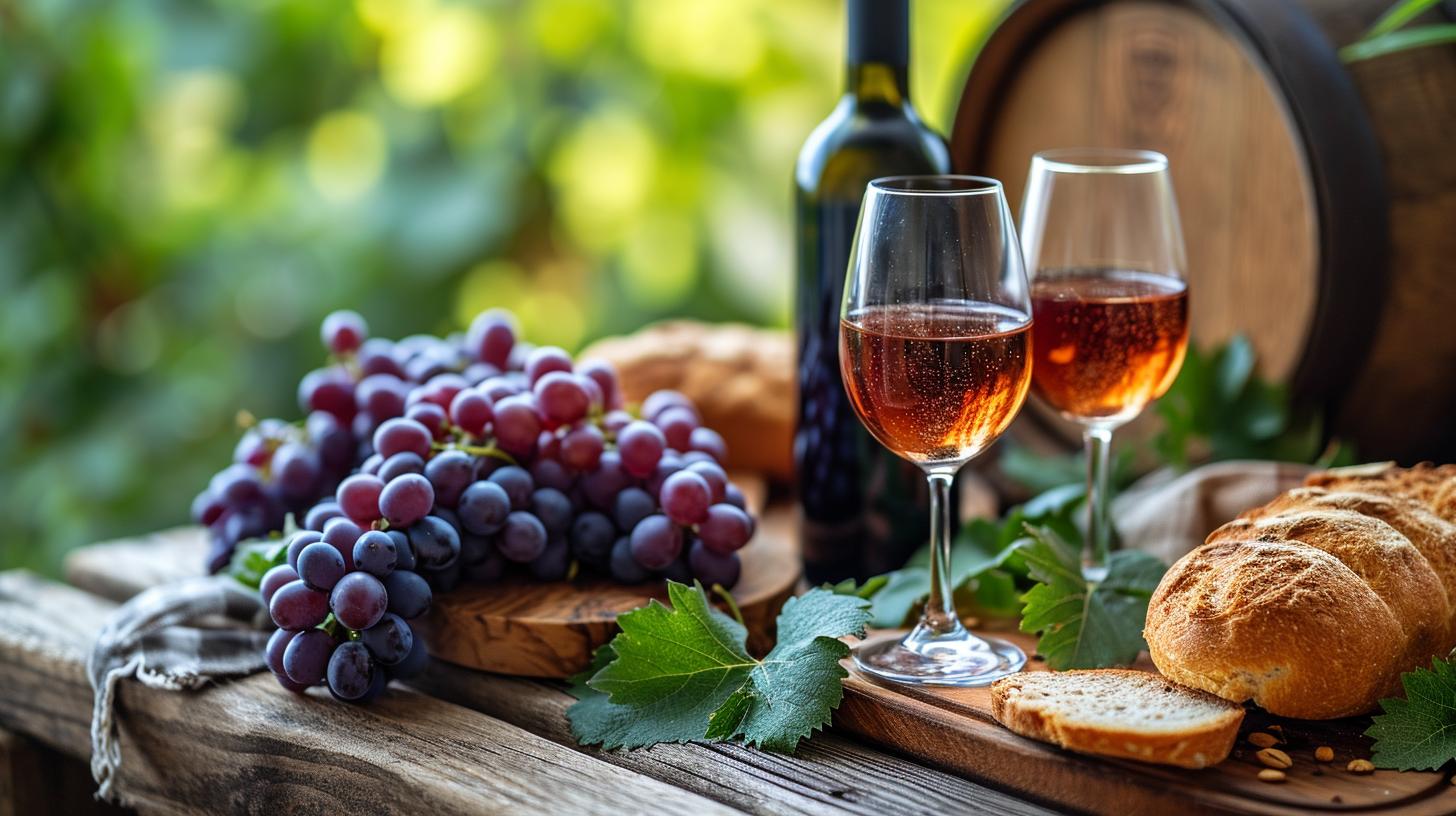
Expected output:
(1195, 747)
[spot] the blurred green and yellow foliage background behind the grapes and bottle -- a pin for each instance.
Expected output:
(187, 187)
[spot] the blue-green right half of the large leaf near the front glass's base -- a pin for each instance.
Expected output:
(796, 688)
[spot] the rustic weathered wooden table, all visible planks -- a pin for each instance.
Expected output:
(455, 741)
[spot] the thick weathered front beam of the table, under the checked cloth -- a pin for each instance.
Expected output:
(250, 747)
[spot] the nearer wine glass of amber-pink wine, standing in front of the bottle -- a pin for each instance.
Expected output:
(935, 336)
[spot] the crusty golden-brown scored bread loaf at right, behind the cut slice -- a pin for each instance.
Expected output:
(1315, 604)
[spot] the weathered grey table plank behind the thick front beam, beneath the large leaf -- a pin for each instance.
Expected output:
(829, 774)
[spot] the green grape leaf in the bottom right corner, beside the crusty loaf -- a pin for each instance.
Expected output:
(1420, 731)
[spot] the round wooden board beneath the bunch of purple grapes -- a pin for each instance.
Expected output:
(550, 630)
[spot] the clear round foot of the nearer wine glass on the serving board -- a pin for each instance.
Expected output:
(953, 659)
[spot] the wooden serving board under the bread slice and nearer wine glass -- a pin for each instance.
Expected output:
(953, 728)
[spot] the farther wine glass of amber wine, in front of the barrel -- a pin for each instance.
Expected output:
(1101, 237)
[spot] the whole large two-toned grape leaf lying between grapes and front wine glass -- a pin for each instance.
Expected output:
(675, 675)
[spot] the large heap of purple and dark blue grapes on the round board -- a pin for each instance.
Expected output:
(427, 463)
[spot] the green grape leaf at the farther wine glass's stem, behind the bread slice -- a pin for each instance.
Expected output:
(1085, 627)
